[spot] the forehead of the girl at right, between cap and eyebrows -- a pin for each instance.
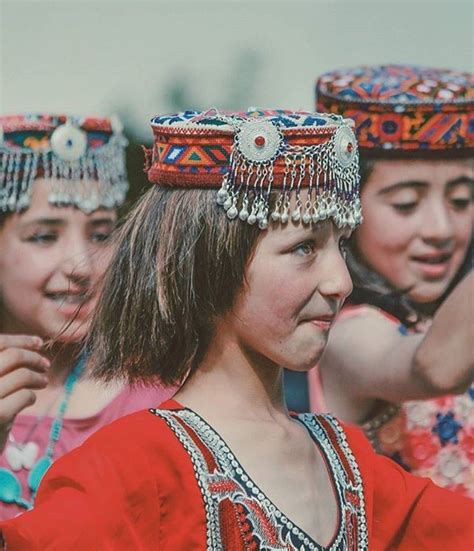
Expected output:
(430, 172)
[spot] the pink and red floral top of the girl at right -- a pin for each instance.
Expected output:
(431, 438)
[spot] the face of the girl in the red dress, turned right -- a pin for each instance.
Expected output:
(297, 281)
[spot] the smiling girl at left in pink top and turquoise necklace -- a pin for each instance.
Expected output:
(61, 181)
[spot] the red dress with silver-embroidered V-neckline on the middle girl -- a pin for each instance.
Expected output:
(165, 480)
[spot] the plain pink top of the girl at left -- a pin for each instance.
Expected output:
(75, 431)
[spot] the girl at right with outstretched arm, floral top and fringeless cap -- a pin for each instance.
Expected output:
(400, 360)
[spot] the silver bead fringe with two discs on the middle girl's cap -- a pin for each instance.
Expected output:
(329, 170)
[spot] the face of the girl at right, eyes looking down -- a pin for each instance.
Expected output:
(417, 226)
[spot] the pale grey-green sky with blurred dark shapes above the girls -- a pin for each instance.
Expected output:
(140, 58)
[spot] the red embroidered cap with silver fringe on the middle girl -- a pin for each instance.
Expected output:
(248, 155)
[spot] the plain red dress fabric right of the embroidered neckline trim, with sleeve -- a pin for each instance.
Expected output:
(409, 513)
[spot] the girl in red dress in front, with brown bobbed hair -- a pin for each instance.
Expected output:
(221, 296)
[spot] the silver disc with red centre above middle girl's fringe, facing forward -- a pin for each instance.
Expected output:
(259, 141)
